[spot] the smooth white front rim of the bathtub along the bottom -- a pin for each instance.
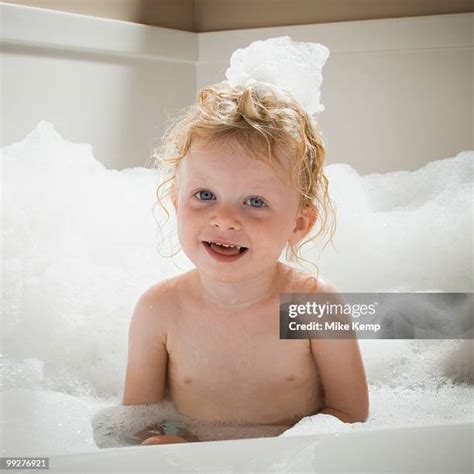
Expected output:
(425, 449)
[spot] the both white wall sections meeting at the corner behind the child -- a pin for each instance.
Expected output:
(398, 92)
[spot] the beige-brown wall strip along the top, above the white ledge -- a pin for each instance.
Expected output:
(223, 15)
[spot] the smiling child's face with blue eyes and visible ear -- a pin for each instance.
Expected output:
(223, 196)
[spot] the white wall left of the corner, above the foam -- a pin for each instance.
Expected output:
(105, 82)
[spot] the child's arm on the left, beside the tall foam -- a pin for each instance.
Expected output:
(147, 356)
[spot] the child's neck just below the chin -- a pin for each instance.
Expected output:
(238, 295)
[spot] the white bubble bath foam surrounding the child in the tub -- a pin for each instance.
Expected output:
(80, 246)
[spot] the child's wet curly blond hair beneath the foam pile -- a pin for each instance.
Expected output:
(261, 120)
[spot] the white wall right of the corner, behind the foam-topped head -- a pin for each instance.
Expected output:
(398, 92)
